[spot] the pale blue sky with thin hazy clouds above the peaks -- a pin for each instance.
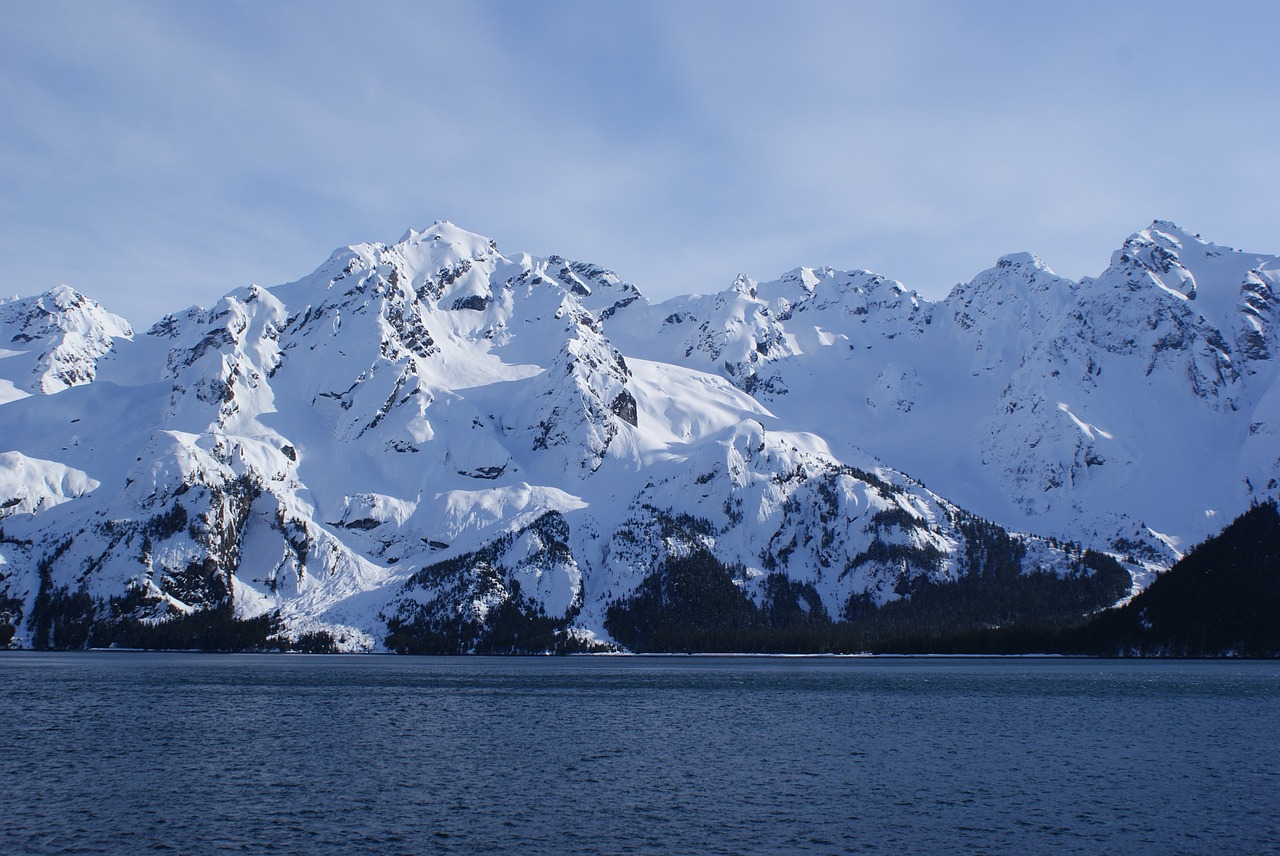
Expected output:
(156, 155)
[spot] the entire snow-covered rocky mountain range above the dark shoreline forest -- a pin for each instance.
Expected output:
(437, 442)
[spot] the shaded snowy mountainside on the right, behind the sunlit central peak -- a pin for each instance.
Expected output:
(1137, 406)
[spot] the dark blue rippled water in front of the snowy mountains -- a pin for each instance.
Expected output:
(131, 753)
